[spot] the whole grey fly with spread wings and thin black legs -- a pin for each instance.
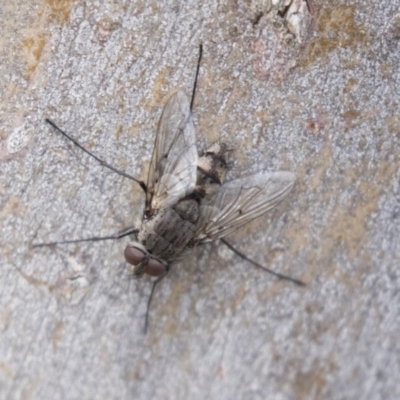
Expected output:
(187, 201)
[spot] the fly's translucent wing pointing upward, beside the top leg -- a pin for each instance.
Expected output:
(172, 173)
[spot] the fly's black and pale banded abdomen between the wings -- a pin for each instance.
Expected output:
(211, 170)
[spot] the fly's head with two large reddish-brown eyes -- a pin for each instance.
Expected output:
(141, 262)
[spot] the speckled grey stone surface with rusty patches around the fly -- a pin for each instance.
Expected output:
(325, 106)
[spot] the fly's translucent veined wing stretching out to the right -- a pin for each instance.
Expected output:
(240, 201)
